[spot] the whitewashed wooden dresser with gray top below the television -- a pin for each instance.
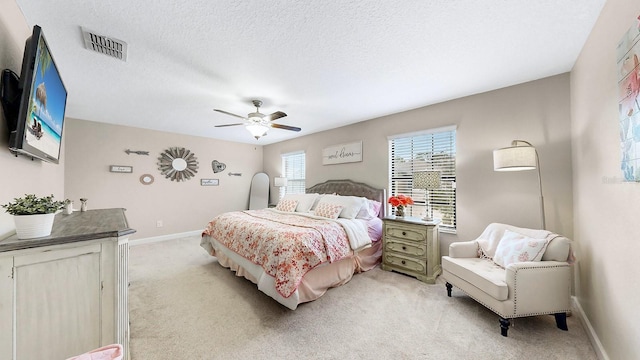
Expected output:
(67, 293)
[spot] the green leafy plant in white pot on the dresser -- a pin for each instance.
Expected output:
(33, 215)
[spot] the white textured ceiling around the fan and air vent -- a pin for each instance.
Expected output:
(326, 63)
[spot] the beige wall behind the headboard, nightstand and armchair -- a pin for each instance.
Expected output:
(537, 111)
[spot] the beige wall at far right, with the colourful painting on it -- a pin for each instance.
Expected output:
(606, 210)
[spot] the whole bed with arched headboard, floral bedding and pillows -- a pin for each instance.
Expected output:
(304, 246)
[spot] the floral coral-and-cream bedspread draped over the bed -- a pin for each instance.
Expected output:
(286, 246)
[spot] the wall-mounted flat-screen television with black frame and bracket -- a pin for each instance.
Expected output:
(37, 128)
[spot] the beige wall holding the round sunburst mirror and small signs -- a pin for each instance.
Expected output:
(182, 206)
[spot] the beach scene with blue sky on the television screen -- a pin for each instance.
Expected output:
(46, 105)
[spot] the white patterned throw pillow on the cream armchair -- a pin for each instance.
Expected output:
(515, 247)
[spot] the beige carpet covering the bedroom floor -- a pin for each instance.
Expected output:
(185, 306)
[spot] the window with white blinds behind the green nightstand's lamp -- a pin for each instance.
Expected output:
(432, 150)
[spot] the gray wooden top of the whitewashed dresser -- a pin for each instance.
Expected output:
(78, 226)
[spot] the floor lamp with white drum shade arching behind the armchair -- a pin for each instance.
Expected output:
(517, 158)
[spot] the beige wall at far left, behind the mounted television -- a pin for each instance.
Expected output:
(20, 175)
